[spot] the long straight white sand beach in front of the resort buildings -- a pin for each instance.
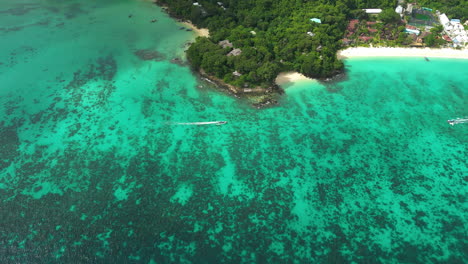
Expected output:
(403, 52)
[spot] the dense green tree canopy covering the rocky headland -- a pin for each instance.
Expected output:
(273, 35)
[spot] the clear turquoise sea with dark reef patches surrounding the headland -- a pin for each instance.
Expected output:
(94, 168)
